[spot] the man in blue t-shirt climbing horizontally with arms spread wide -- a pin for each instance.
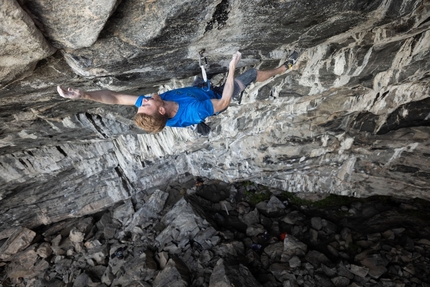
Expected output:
(181, 107)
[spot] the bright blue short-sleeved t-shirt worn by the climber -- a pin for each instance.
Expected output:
(194, 105)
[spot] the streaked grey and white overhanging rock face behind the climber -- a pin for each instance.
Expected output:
(351, 117)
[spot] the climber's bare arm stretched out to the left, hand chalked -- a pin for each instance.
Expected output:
(101, 96)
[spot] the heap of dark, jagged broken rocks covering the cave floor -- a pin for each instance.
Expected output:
(217, 234)
